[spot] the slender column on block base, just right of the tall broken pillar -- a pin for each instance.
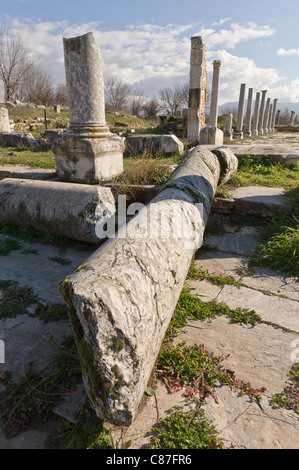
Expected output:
(210, 135)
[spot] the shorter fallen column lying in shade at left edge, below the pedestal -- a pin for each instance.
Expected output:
(66, 209)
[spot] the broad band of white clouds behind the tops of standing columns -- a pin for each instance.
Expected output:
(152, 57)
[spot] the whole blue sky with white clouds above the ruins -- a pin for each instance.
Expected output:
(147, 44)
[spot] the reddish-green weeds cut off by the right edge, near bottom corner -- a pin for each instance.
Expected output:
(289, 398)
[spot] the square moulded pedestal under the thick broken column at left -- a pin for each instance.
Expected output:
(88, 158)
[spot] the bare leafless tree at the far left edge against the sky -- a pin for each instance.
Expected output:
(16, 63)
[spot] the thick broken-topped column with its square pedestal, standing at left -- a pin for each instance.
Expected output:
(87, 152)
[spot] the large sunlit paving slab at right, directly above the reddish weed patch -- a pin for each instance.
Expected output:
(260, 355)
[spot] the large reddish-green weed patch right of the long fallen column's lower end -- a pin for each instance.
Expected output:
(199, 372)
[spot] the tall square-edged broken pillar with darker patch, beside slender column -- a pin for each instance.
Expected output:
(197, 87)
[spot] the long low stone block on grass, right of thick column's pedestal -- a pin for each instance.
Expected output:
(167, 144)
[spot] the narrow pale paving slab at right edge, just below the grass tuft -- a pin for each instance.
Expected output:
(283, 312)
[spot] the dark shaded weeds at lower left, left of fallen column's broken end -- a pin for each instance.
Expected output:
(35, 394)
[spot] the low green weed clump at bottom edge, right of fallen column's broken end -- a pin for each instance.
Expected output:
(185, 430)
